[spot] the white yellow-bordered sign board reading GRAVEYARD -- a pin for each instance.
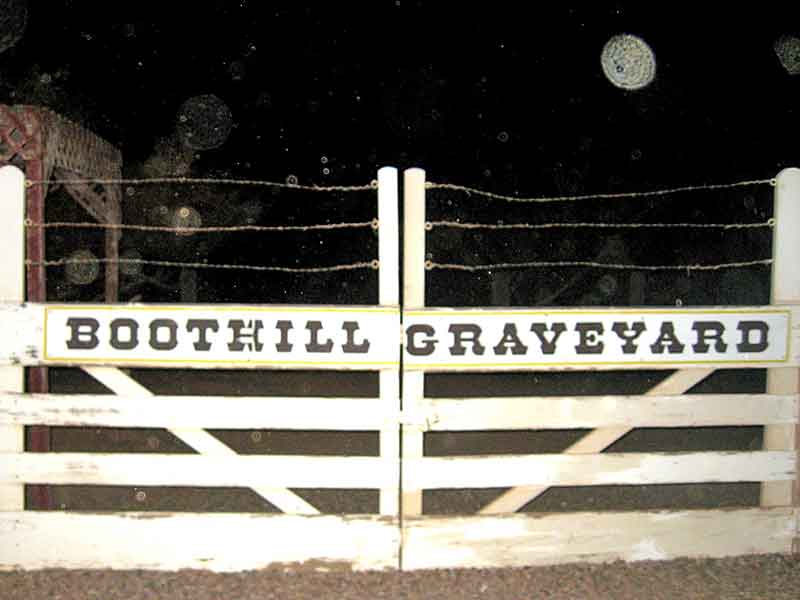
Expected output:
(463, 339)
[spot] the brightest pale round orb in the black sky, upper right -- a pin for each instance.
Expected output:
(628, 62)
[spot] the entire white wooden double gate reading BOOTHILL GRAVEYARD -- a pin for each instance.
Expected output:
(438, 340)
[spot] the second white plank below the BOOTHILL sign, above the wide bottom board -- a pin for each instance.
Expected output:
(66, 468)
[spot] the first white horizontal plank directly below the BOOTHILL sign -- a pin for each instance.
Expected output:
(206, 412)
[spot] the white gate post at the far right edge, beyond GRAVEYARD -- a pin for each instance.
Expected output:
(785, 290)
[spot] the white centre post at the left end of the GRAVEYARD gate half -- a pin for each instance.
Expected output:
(413, 298)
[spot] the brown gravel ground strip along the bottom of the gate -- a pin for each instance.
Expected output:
(767, 577)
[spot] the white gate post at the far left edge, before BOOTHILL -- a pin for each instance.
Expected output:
(12, 289)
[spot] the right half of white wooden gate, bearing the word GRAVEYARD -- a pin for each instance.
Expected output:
(498, 536)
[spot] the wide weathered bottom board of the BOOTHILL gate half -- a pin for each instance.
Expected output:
(215, 542)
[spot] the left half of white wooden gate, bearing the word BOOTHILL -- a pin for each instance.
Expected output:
(219, 542)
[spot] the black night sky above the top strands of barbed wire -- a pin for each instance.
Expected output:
(509, 97)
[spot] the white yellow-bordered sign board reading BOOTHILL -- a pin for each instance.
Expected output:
(220, 335)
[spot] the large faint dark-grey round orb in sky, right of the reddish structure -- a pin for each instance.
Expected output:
(204, 122)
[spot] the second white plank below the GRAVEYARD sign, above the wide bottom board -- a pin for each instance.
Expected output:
(635, 468)
